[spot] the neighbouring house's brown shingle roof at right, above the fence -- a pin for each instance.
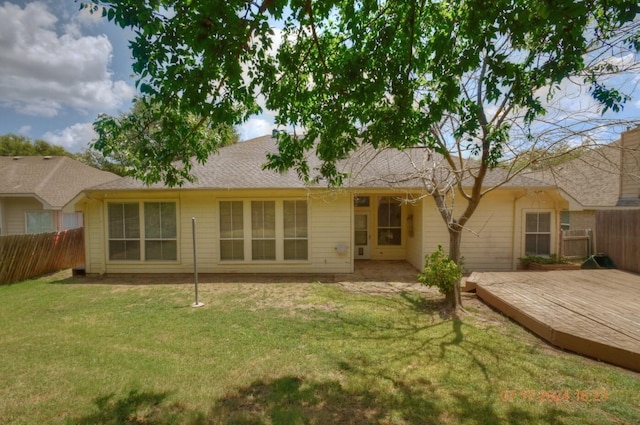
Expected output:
(592, 179)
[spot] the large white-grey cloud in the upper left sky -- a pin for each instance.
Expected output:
(42, 72)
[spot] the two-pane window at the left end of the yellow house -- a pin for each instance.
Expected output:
(158, 231)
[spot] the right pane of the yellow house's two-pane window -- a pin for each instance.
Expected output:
(160, 231)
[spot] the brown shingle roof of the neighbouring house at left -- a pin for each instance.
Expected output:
(54, 180)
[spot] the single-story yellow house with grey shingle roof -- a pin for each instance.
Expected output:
(251, 220)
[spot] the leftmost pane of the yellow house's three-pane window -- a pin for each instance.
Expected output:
(231, 231)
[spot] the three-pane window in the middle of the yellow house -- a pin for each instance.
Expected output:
(264, 230)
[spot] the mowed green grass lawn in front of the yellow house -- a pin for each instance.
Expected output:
(79, 351)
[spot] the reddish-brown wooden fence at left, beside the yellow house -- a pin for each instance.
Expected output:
(25, 256)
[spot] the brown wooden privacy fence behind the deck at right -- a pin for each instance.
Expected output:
(618, 236)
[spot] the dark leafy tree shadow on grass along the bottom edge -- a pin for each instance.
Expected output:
(292, 400)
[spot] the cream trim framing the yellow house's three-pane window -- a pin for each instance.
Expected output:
(279, 238)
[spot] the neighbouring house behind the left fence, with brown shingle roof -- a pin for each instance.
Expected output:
(34, 190)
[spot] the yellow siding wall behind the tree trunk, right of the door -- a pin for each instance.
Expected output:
(494, 236)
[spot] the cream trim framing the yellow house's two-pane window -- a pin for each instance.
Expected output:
(142, 238)
